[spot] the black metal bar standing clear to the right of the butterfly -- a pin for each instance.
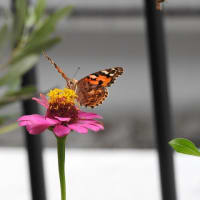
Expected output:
(162, 113)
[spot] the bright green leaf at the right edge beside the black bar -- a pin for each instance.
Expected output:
(184, 146)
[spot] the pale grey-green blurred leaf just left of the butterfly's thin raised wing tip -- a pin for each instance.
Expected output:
(17, 69)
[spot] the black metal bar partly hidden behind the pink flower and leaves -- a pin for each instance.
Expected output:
(33, 143)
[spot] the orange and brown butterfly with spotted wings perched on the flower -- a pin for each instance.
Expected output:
(92, 89)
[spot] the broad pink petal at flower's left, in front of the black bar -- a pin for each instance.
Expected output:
(35, 124)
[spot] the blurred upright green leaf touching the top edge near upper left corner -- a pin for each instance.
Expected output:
(19, 19)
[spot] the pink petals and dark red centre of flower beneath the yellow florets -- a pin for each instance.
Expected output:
(61, 118)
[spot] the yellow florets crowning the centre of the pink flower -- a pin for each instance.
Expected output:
(64, 96)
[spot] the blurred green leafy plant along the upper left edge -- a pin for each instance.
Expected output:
(25, 33)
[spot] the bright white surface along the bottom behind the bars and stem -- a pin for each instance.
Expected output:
(99, 174)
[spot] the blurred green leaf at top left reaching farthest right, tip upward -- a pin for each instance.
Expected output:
(48, 26)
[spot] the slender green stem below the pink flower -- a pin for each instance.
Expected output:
(61, 165)
